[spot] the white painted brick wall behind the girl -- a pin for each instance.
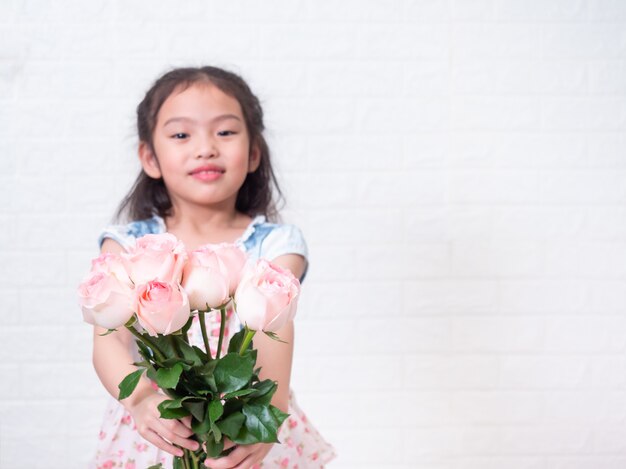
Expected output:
(457, 166)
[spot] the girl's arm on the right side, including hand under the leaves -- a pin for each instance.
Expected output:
(275, 358)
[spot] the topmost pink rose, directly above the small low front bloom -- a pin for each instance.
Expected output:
(156, 257)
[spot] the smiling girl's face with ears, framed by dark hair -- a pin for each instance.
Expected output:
(202, 147)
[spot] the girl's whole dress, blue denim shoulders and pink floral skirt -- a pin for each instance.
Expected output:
(301, 447)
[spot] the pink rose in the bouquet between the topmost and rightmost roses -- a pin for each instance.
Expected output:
(212, 274)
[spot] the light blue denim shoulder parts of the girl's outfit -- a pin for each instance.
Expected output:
(260, 239)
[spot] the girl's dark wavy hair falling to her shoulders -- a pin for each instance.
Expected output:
(149, 196)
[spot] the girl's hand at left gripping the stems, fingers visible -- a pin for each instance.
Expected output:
(162, 433)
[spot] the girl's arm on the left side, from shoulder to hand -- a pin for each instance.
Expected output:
(112, 360)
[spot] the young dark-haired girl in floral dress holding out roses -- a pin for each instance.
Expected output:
(206, 178)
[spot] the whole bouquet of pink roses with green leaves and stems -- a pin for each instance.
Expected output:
(155, 291)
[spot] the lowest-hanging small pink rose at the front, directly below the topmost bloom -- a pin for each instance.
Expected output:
(162, 308)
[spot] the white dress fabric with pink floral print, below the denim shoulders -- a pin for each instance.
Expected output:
(121, 446)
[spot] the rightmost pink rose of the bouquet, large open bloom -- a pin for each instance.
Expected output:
(266, 298)
